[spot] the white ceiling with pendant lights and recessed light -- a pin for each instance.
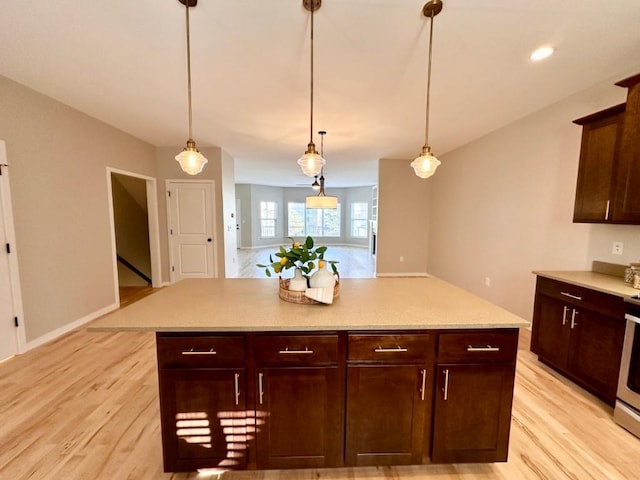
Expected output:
(124, 62)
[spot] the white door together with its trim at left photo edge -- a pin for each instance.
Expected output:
(12, 331)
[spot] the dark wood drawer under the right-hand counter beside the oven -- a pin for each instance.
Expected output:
(575, 295)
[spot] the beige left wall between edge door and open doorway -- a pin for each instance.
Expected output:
(58, 159)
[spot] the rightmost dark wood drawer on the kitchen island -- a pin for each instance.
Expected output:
(478, 347)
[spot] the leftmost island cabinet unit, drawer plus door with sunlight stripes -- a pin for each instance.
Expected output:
(202, 386)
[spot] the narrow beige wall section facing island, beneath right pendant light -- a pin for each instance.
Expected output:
(403, 219)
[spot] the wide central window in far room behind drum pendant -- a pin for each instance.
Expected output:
(317, 222)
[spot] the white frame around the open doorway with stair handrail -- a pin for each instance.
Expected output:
(154, 229)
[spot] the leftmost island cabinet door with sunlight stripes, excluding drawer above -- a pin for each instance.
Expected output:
(204, 418)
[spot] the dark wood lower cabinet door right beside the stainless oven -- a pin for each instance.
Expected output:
(595, 353)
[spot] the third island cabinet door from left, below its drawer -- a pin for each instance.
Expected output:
(387, 415)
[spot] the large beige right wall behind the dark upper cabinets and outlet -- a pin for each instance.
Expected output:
(502, 206)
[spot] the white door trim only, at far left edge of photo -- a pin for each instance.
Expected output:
(14, 274)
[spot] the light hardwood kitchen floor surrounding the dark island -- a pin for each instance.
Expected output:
(86, 407)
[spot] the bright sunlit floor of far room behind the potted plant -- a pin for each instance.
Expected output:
(354, 262)
